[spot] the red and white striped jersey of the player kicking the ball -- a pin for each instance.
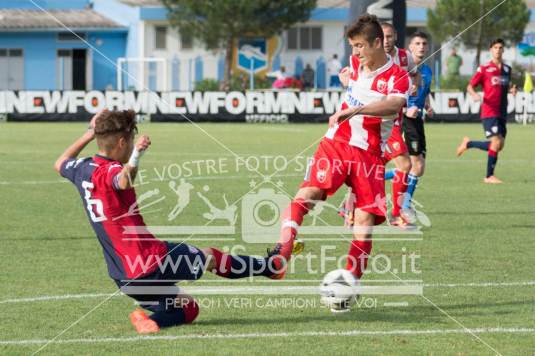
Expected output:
(369, 132)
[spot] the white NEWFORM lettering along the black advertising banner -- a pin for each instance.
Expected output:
(259, 105)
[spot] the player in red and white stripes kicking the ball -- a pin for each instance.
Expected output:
(352, 150)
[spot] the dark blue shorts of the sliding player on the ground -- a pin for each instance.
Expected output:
(155, 290)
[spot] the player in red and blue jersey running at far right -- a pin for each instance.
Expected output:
(495, 78)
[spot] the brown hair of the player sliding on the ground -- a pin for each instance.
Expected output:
(111, 125)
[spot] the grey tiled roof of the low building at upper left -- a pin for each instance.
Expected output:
(26, 19)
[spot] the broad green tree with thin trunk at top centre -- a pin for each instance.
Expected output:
(220, 23)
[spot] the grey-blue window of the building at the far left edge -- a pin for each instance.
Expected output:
(11, 69)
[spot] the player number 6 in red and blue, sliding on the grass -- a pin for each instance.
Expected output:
(142, 266)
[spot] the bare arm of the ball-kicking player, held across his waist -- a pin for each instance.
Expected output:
(385, 108)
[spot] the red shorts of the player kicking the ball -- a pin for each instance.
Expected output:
(336, 163)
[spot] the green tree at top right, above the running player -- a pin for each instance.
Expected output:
(450, 17)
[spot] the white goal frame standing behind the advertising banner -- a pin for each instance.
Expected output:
(142, 74)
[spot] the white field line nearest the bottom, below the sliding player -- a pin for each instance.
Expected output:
(399, 332)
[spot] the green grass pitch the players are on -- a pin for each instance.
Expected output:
(479, 233)
